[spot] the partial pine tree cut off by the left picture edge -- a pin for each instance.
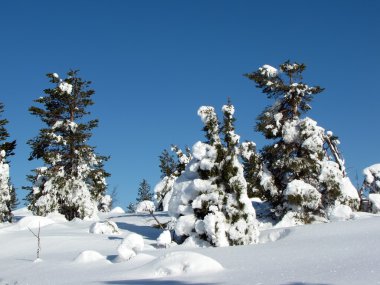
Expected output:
(8, 199)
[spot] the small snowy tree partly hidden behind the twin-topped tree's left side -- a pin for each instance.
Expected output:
(170, 169)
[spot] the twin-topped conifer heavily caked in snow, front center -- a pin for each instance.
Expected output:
(210, 200)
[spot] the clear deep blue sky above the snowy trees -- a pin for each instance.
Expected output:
(153, 63)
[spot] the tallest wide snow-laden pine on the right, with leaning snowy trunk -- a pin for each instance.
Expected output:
(303, 171)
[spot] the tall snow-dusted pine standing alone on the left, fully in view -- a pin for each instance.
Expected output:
(72, 180)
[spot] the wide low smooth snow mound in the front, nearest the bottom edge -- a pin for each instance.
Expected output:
(179, 263)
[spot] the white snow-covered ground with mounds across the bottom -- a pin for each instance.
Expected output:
(335, 253)
